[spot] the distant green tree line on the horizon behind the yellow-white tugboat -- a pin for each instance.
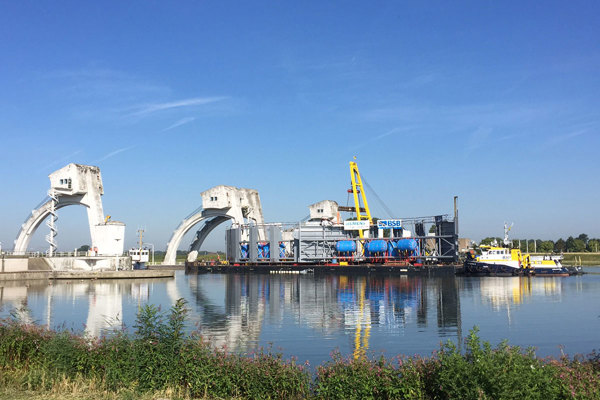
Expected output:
(579, 244)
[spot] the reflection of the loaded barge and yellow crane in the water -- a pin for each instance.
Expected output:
(330, 305)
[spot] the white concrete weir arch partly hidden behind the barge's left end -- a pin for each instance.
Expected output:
(219, 204)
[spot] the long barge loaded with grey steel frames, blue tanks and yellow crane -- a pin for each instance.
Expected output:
(327, 242)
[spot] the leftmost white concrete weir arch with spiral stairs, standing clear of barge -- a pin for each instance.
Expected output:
(76, 184)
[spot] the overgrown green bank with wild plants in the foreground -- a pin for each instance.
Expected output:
(157, 360)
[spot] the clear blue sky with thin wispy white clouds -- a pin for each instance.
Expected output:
(496, 102)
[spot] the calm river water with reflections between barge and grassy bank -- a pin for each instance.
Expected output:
(308, 316)
